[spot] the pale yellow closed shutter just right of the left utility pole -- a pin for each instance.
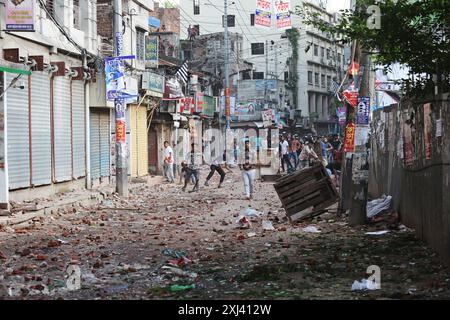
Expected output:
(139, 141)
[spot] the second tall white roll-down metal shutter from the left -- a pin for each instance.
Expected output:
(41, 129)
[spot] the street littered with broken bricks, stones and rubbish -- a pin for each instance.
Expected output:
(162, 243)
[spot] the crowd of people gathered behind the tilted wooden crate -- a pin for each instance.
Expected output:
(298, 153)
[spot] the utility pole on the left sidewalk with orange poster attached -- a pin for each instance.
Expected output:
(120, 108)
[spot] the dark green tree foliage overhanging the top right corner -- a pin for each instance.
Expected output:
(415, 33)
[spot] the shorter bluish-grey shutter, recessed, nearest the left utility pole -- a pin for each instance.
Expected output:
(99, 142)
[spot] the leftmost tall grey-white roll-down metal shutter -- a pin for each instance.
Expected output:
(17, 121)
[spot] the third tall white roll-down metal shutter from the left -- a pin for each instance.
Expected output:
(62, 129)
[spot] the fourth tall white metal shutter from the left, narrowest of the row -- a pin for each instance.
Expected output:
(78, 125)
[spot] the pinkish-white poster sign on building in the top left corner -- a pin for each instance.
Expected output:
(19, 15)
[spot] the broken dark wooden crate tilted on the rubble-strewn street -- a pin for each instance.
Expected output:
(306, 192)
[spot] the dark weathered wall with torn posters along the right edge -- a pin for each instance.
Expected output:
(421, 190)
